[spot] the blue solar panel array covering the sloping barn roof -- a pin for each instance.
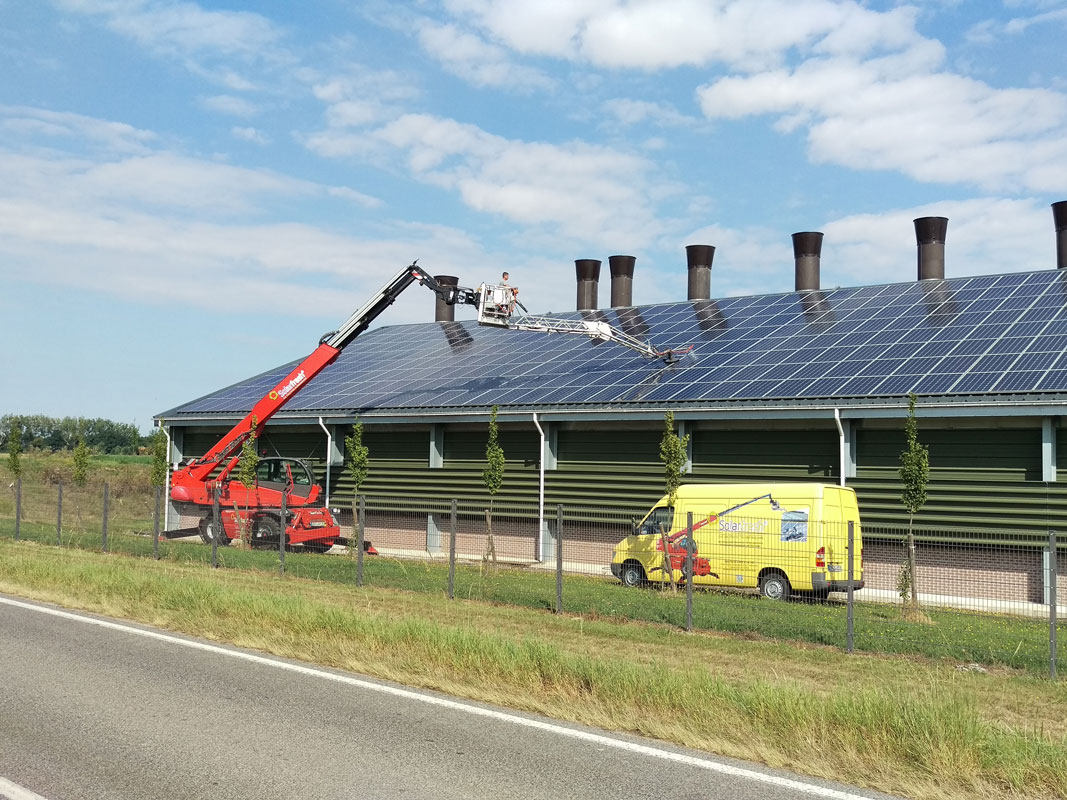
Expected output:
(960, 337)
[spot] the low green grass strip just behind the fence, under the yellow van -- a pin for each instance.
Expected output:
(985, 639)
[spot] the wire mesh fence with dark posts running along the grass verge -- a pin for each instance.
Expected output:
(983, 599)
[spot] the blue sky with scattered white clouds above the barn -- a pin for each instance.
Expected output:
(192, 194)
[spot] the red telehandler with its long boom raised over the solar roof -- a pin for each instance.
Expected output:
(199, 484)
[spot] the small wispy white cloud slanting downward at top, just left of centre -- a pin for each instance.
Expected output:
(475, 60)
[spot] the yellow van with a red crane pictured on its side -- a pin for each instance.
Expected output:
(781, 538)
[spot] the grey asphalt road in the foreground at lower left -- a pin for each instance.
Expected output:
(91, 711)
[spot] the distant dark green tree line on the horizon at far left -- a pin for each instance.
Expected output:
(39, 433)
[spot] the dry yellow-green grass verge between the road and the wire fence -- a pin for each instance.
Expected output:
(904, 726)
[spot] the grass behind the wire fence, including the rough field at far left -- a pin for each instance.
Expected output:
(985, 639)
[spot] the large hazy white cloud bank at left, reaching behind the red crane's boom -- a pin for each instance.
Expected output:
(163, 228)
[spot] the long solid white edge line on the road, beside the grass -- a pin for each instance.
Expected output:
(453, 705)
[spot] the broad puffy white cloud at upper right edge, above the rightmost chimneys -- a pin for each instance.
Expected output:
(933, 126)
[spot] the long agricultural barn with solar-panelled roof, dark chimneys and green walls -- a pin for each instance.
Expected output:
(804, 386)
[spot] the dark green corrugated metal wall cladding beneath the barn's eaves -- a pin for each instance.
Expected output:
(984, 478)
